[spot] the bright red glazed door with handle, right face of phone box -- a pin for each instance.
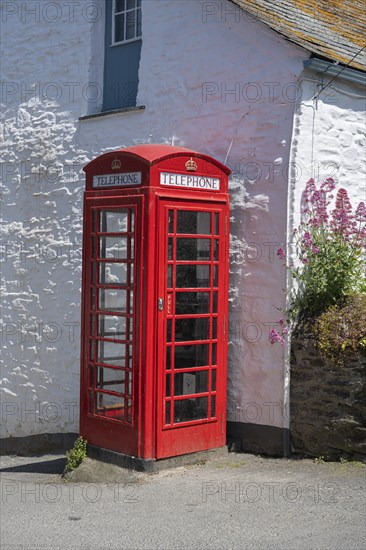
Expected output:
(192, 316)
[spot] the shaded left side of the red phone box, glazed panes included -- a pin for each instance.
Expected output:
(111, 340)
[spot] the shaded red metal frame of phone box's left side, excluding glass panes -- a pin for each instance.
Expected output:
(93, 425)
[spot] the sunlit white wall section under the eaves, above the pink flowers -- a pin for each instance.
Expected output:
(329, 138)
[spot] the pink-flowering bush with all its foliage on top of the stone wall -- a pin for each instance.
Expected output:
(329, 273)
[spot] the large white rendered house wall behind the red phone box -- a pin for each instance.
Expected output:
(190, 62)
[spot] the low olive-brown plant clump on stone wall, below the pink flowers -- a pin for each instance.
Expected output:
(341, 329)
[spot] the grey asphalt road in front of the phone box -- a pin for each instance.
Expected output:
(238, 501)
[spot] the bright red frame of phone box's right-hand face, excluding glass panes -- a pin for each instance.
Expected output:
(208, 429)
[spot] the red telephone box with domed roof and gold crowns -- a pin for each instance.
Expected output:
(154, 302)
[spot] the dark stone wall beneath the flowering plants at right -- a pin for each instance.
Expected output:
(328, 408)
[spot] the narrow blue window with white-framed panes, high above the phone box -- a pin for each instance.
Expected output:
(123, 41)
